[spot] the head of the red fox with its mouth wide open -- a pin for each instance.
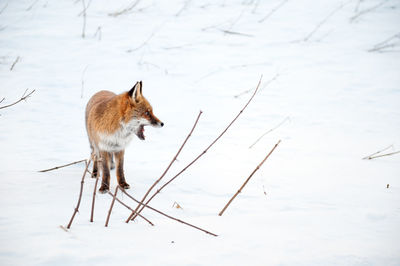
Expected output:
(138, 112)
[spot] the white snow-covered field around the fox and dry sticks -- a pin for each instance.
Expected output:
(314, 201)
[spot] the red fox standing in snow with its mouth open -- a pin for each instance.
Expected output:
(111, 122)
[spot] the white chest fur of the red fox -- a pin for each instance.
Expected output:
(120, 139)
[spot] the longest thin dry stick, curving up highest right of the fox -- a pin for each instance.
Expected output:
(204, 152)
